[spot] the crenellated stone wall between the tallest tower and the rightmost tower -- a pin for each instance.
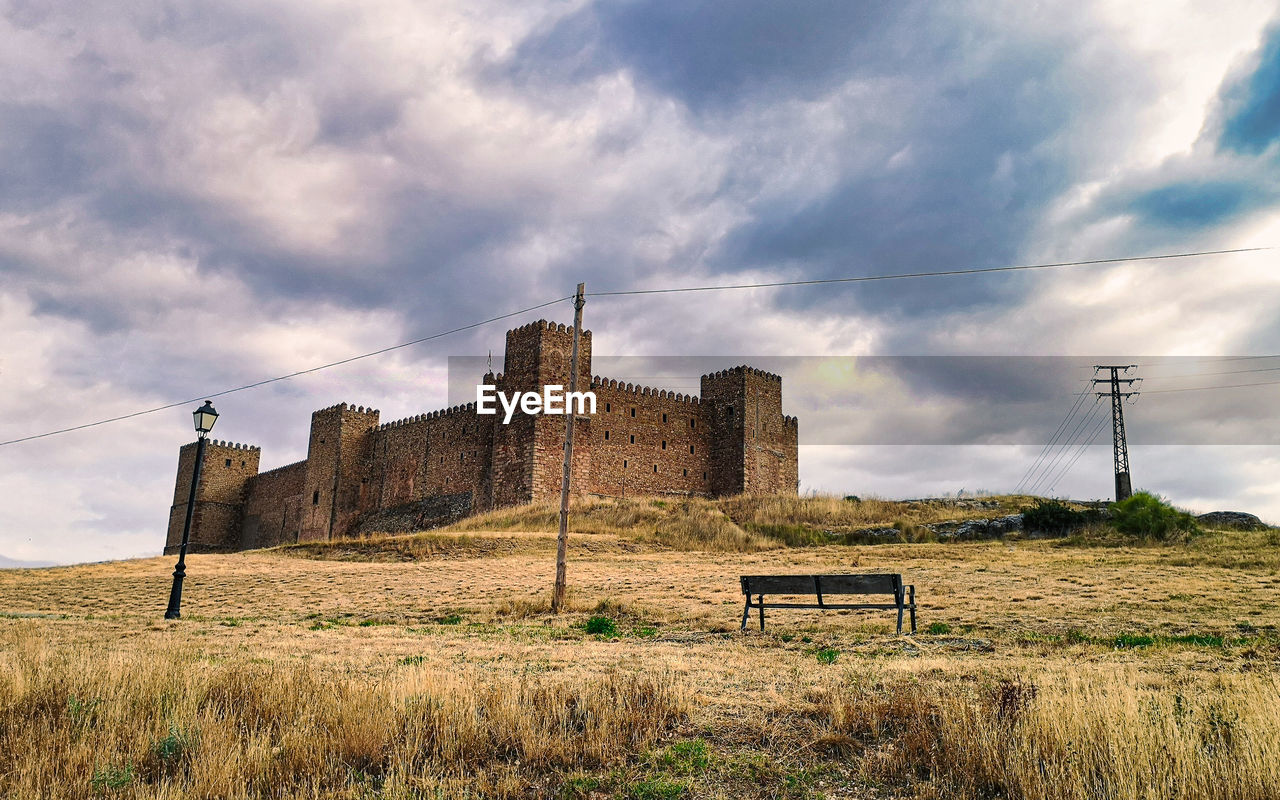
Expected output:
(648, 442)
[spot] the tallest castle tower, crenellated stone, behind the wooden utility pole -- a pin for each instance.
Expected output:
(528, 454)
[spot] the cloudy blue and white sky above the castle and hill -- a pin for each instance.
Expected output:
(199, 196)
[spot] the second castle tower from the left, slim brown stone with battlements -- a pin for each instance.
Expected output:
(336, 486)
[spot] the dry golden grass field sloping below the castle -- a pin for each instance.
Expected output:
(428, 666)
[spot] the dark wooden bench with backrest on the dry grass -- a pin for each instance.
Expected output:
(826, 586)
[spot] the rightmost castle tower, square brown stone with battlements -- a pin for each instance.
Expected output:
(755, 447)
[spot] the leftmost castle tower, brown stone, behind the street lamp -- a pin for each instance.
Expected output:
(216, 524)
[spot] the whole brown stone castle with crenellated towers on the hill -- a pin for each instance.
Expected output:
(433, 469)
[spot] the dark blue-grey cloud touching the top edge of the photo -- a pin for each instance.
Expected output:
(715, 53)
